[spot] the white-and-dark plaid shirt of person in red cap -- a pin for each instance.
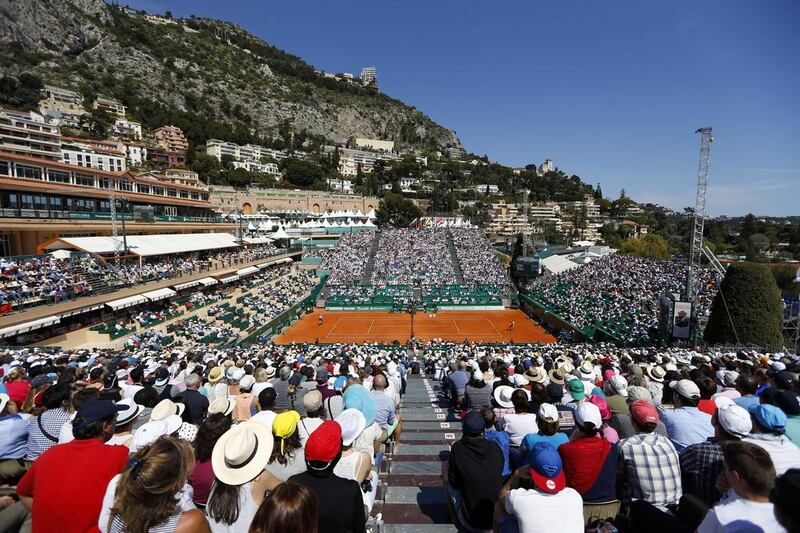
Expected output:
(653, 468)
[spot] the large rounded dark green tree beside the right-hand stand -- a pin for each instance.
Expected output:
(747, 309)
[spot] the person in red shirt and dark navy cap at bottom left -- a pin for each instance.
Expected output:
(64, 487)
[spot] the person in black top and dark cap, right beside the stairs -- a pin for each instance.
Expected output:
(474, 473)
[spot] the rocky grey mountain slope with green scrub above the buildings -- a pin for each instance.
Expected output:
(199, 66)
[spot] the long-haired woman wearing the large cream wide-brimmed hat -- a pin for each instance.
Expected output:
(238, 461)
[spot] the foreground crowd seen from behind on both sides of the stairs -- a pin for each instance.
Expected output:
(552, 436)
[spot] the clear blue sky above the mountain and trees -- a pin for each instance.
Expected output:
(610, 90)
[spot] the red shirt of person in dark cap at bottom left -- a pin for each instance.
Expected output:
(68, 482)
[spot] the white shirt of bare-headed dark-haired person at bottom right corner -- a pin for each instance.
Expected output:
(735, 514)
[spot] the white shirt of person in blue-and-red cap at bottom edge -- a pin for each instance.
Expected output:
(539, 512)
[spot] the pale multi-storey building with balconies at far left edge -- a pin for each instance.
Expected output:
(28, 134)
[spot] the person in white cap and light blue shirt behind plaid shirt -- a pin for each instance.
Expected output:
(686, 424)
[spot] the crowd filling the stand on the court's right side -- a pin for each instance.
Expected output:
(619, 292)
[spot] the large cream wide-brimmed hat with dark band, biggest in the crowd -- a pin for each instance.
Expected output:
(241, 453)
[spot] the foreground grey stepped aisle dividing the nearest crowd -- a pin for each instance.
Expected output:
(413, 499)
